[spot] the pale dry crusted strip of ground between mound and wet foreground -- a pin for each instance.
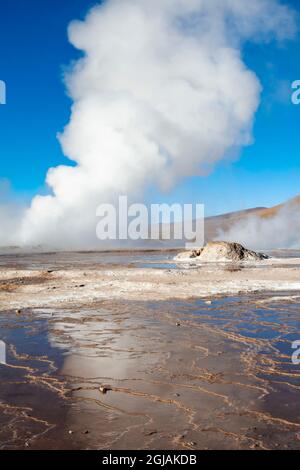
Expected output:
(24, 284)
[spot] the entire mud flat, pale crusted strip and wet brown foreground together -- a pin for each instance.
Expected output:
(123, 356)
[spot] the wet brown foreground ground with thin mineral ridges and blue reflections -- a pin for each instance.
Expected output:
(214, 373)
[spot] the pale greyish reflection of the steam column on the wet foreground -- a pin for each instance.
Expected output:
(113, 348)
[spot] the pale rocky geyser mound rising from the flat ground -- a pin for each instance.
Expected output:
(222, 252)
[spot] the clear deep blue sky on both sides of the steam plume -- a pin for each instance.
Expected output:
(33, 51)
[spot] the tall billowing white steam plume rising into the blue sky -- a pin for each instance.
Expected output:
(161, 93)
